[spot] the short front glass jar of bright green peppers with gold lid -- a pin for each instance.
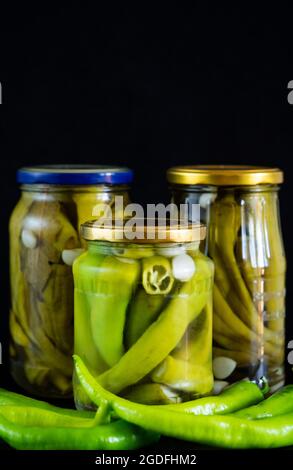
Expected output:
(143, 314)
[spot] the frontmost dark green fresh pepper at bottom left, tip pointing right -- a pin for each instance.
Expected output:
(118, 435)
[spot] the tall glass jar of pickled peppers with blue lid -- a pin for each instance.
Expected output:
(44, 240)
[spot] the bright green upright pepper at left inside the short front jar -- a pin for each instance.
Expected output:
(113, 283)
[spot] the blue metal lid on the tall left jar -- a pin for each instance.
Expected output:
(74, 175)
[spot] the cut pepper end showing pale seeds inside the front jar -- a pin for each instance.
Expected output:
(157, 277)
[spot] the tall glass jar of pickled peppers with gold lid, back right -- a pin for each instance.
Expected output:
(241, 209)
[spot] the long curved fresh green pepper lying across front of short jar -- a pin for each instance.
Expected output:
(221, 431)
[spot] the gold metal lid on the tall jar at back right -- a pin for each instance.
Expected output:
(224, 175)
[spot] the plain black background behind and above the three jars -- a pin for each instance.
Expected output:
(148, 87)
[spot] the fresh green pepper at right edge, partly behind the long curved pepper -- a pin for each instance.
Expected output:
(278, 404)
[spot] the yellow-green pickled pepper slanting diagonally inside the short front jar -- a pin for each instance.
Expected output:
(150, 350)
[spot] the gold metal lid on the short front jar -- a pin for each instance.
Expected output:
(147, 231)
